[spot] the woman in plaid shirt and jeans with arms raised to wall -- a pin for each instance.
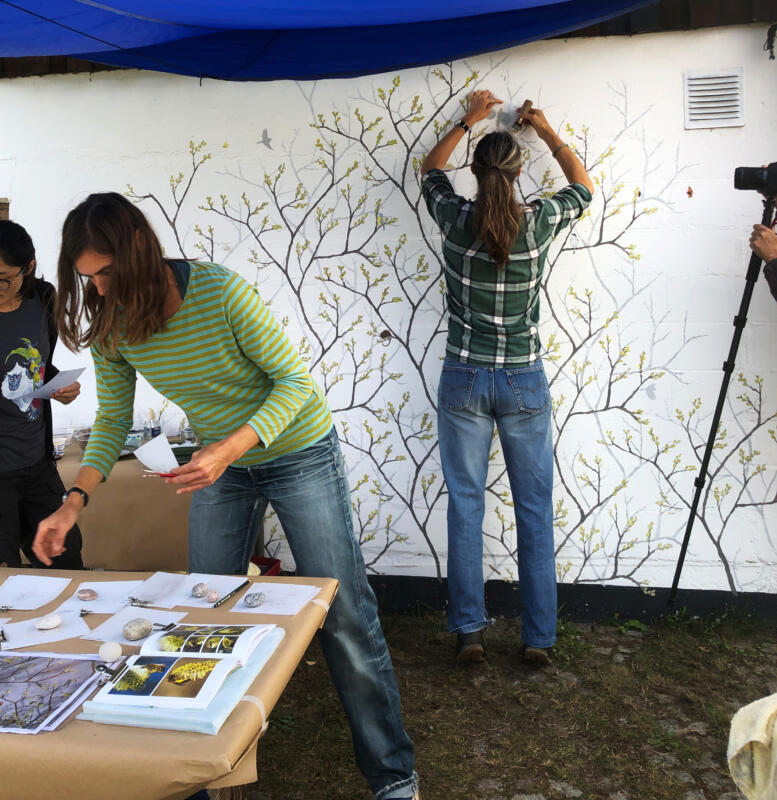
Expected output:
(494, 251)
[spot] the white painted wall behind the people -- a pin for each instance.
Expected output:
(65, 136)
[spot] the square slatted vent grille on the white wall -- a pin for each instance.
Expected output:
(713, 99)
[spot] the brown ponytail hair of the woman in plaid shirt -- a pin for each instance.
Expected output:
(498, 216)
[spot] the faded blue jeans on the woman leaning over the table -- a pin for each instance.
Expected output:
(309, 493)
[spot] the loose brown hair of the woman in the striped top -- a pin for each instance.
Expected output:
(112, 226)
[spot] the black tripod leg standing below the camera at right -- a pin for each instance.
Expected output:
(740, 319)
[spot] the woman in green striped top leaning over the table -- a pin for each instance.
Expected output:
(203, 338)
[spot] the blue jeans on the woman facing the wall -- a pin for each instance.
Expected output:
(470, 400)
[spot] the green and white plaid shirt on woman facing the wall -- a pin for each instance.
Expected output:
(494, 311)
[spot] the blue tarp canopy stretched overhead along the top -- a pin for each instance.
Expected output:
(298, 39)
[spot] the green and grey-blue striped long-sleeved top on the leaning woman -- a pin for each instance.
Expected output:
(225, 360)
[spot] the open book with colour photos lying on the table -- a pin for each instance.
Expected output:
(183, 667)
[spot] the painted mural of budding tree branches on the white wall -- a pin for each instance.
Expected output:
(341, 246)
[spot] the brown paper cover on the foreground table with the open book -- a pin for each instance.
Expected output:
(84, 760)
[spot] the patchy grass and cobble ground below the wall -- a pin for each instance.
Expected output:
(626, 712)
